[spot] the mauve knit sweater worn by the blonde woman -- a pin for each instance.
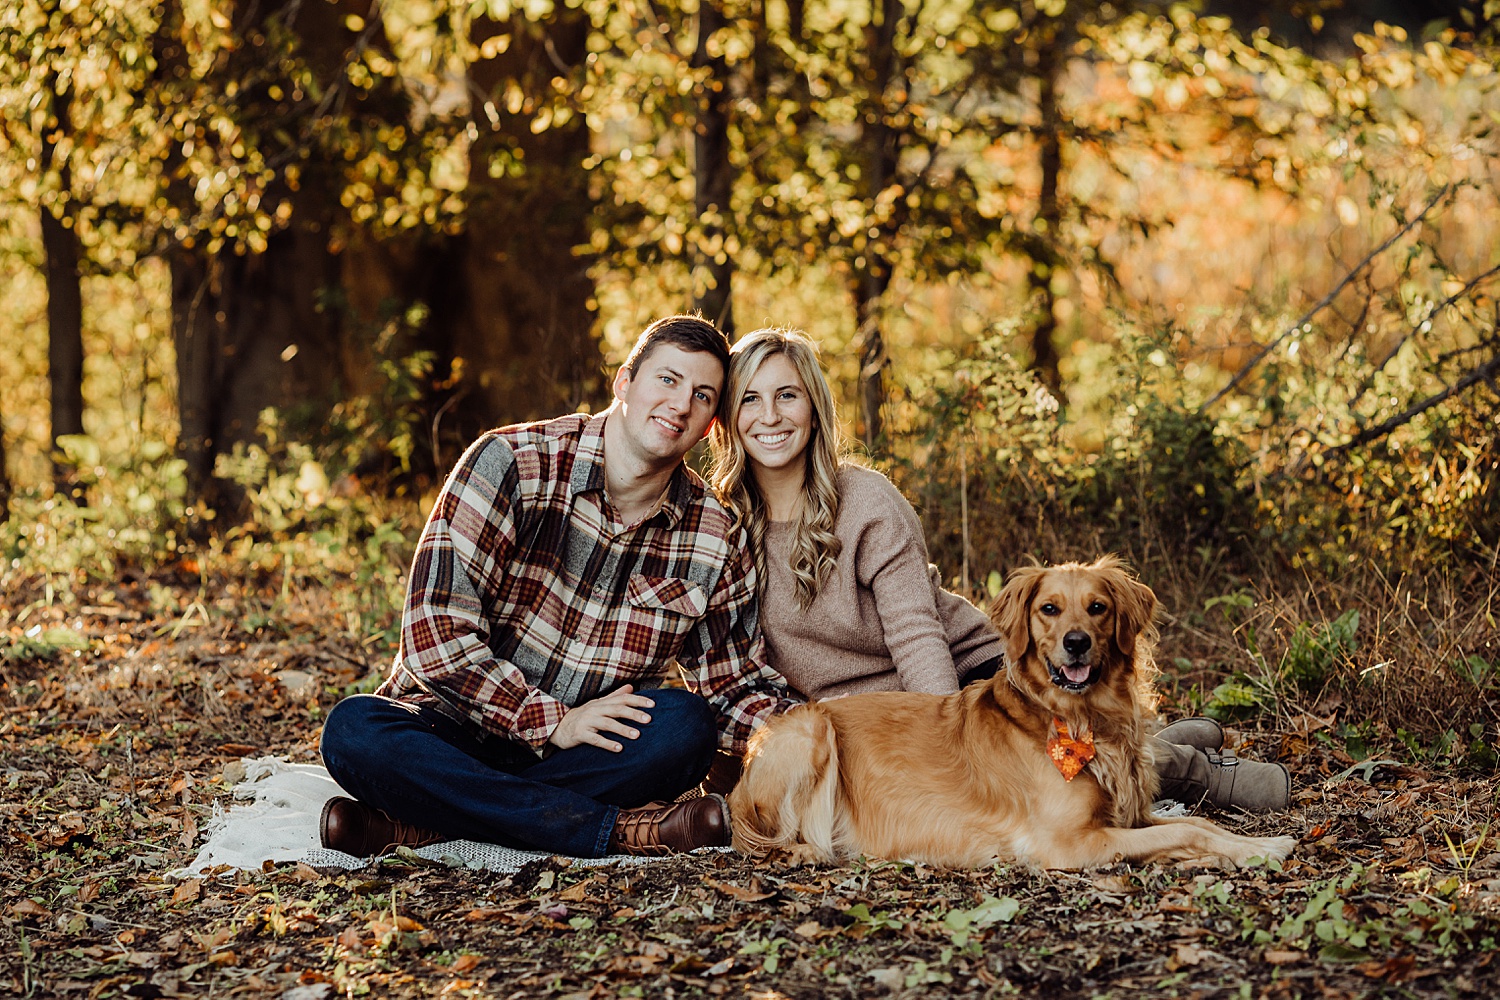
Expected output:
(880, 623)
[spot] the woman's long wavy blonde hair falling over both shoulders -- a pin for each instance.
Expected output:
(815, 548)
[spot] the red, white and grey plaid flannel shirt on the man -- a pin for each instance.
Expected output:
(526, 599)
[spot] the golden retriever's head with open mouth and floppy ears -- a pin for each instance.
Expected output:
(1075, 627)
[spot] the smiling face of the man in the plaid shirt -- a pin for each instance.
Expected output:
(671, 403)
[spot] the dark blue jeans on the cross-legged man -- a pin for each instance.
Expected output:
(427, 770)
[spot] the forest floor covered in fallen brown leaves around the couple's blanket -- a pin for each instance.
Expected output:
(121, 726)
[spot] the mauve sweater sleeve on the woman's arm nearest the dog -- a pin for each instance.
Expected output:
(892, 564)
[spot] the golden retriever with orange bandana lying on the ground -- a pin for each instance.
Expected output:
(968, 779)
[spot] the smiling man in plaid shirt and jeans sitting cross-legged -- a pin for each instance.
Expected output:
(565, 567)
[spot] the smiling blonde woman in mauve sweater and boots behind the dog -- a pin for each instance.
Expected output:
(848, 599)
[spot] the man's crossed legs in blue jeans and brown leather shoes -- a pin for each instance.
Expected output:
(433, 780)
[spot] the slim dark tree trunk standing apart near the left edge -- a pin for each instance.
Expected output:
(65, 308)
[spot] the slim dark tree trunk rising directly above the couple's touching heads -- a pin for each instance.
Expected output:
(713, 178)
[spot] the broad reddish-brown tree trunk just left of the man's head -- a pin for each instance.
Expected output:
(514, 301)
